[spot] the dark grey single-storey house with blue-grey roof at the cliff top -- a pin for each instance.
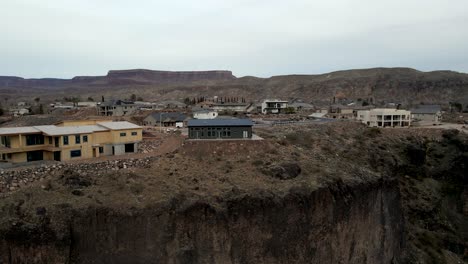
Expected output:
(220, 128)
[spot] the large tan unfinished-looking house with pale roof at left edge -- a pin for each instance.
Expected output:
(71, 140)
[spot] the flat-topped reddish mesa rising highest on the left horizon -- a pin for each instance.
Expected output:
(141, 75)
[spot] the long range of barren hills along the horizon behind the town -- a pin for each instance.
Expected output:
(378, 85)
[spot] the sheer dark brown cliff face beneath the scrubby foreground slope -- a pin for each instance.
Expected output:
(339, 224)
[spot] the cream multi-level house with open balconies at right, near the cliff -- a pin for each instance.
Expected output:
(385, 117)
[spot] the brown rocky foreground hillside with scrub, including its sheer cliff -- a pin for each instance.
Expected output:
(332, 193)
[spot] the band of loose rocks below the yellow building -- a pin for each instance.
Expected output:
(15, 179)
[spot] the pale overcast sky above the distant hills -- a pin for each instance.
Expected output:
(66, 38)
